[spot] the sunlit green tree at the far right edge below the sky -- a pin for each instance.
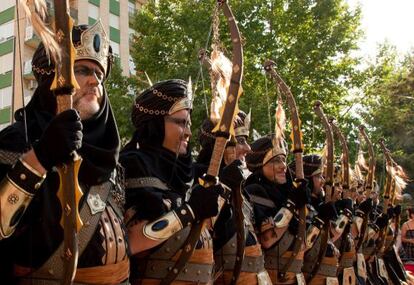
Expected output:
(389, 105)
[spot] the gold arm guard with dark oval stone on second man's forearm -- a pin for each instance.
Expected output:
(169, 224)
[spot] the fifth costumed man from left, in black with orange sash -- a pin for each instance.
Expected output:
(321, 259)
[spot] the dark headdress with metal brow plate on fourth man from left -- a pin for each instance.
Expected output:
(263, 150)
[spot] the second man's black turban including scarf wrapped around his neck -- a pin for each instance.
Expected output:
(151, 106)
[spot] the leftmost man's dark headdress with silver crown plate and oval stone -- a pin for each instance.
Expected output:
(90, 43)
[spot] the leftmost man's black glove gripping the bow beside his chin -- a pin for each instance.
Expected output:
(62, 136)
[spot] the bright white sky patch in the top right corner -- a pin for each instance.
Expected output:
(391, 20)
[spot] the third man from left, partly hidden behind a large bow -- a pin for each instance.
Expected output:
(233, 173)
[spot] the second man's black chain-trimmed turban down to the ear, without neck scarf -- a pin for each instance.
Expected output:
(153, 104)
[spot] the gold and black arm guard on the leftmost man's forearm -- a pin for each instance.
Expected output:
(17, 190)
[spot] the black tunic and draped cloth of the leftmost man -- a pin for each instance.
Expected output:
(39, 232)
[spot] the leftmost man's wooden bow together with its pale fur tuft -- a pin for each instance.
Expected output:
(60, 48)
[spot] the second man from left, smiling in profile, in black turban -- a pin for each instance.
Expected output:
(158, 176)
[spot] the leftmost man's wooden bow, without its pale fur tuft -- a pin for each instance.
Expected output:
(69, 192)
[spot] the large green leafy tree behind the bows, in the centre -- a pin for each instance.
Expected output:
(311, 42)
